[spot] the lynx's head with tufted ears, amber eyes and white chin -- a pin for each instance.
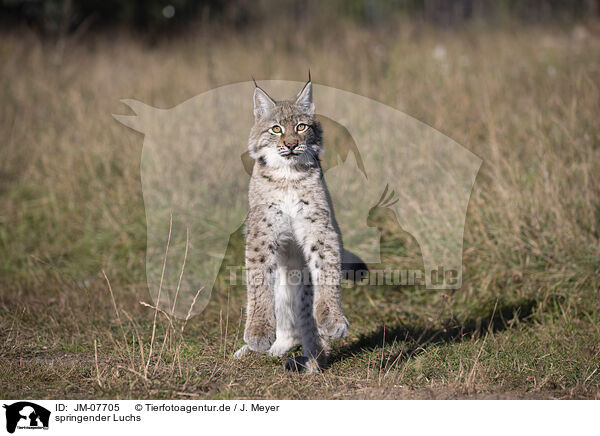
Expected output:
(285, 133)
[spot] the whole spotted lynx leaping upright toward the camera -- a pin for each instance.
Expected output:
(293, 244)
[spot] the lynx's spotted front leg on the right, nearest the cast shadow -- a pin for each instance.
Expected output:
(321, 248)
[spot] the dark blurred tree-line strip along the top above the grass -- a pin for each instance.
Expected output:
(159, 17)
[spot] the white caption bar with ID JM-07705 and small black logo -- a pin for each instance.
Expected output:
(76, 417)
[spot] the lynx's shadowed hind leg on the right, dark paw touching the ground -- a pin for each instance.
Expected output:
(315, 349)
